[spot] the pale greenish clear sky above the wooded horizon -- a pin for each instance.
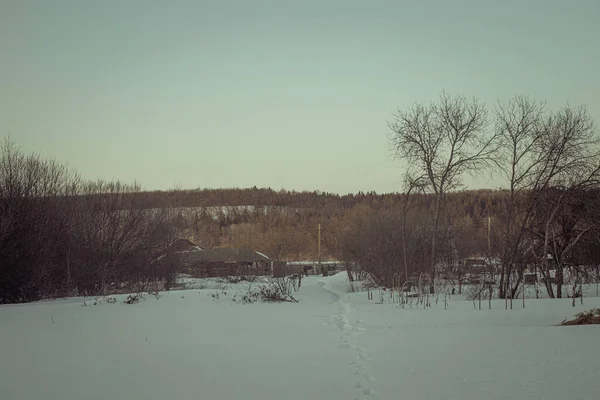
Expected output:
(280, 94)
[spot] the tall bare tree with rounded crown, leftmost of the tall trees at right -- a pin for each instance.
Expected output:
(443, 141)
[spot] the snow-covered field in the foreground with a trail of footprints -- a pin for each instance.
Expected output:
(199, 344)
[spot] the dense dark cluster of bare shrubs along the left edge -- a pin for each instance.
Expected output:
(63, 236)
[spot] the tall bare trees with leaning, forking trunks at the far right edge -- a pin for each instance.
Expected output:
(546, 158)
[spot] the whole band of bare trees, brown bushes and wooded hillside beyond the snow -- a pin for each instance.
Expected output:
(63, 235)
